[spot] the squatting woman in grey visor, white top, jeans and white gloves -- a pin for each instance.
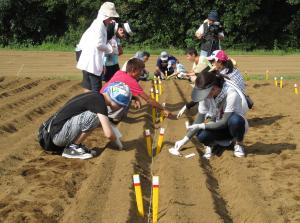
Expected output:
(221, 123)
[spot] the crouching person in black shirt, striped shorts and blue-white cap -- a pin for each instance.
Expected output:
(82, 114)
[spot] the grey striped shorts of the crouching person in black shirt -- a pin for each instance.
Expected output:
(83, 122)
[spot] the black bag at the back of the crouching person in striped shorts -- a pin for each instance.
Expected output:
(44, 136)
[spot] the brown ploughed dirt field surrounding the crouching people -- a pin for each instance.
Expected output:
(38, 187)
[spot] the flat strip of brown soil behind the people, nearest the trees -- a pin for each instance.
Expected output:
(62, 65)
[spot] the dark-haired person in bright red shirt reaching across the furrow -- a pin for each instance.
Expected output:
(134, 69)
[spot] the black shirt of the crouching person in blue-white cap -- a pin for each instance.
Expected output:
(91, 101)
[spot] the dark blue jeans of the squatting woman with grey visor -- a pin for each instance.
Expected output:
(235, 130)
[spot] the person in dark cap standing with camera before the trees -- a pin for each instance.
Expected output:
(210, 33)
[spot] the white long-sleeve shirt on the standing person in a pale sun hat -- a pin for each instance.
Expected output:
(93, 44)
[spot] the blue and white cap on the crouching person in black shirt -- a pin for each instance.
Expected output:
(119, 92)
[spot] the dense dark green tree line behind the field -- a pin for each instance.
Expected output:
(248, 25)
